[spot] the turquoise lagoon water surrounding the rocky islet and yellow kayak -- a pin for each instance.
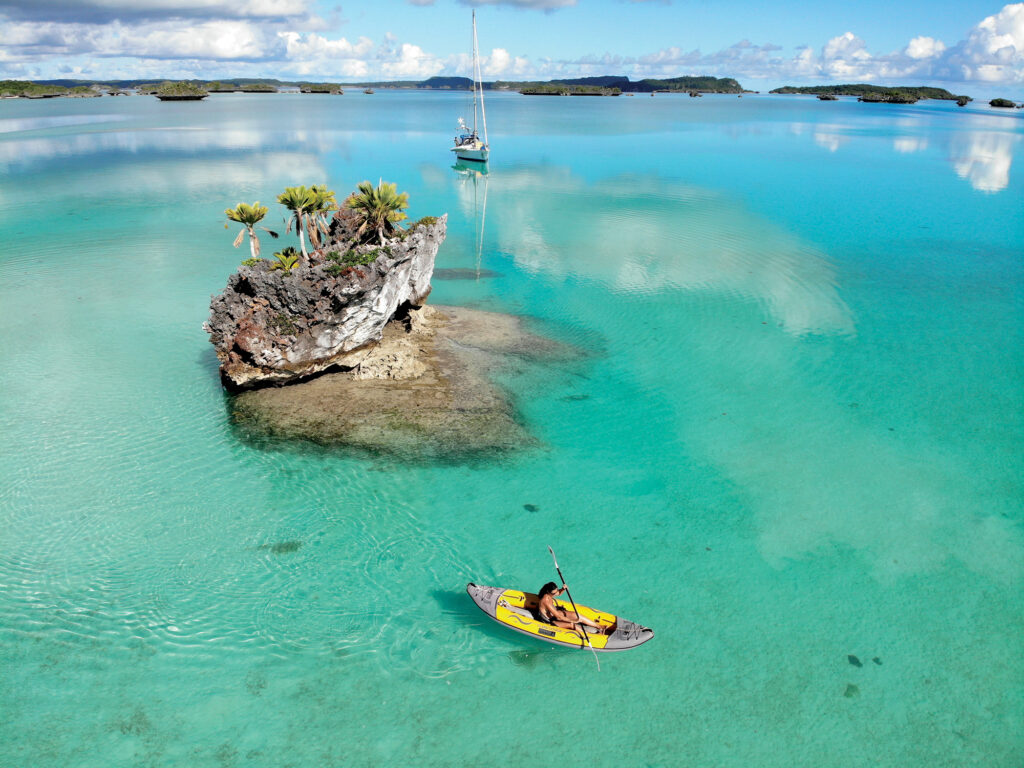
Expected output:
(795, 439)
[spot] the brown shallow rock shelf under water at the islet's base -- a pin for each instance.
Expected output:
(424, 391)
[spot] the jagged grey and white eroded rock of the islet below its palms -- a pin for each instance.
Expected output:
(272, 327)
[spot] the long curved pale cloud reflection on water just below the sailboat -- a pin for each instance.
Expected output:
(643, 234)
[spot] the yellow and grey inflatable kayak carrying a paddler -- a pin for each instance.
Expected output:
(518, 611)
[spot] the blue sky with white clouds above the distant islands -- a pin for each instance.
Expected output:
(951, 44)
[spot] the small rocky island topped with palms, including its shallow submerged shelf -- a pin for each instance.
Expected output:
(336, 346)
